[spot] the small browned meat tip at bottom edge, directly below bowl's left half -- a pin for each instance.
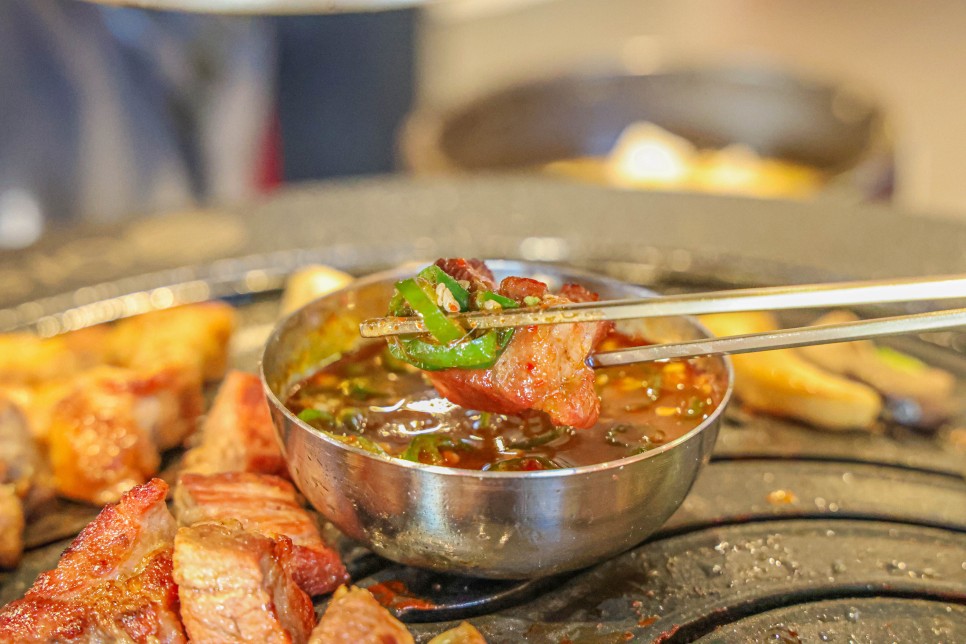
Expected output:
(355, 617)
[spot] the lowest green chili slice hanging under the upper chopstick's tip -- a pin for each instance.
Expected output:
(479, 353)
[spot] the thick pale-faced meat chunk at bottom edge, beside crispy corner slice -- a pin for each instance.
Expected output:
(235, 586)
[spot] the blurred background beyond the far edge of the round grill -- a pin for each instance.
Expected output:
(110, 112)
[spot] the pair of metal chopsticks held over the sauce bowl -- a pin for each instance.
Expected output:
(844, 294)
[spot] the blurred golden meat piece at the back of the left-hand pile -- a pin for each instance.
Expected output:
(194, 336)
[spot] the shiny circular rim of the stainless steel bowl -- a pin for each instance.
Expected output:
(479, 474)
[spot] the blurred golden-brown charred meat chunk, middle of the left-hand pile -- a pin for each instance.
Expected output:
(106, 435)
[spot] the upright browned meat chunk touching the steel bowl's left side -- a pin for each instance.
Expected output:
(238, 435)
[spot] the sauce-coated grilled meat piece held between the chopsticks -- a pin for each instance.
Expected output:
(542, 368)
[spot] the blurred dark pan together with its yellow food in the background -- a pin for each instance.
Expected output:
(796, 135)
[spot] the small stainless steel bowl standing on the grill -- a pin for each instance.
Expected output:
(484, 524)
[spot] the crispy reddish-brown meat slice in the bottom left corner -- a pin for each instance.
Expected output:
(114, 582)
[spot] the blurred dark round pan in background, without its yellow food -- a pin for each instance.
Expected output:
(833, 128)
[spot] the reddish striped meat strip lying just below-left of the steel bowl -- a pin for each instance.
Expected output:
(265, 505)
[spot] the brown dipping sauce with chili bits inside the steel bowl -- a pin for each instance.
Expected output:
(369, 399)
